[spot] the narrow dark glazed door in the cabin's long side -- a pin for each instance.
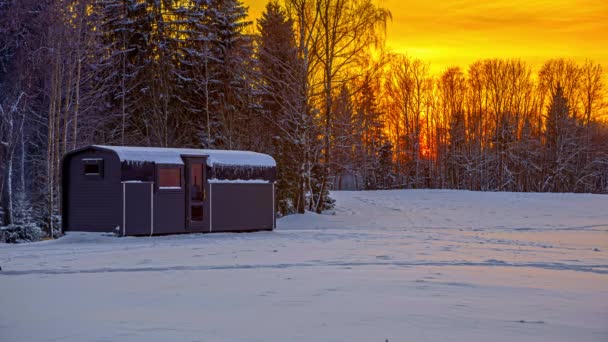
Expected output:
(196, 198)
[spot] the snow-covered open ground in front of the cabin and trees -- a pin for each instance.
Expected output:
(397, 265)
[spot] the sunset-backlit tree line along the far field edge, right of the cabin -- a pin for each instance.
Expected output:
(496, 126)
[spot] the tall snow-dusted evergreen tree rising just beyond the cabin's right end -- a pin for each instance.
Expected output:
(289, 131)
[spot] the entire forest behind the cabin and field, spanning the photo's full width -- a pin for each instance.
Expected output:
(311, 83)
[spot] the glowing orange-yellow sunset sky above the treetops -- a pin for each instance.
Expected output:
(447, 33)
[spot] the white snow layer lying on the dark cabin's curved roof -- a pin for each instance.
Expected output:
(162, 155)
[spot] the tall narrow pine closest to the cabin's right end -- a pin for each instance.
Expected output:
(277, 58)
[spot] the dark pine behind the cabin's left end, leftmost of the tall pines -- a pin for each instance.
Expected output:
(124, 32)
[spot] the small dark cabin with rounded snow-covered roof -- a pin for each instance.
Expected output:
(152, 190)
